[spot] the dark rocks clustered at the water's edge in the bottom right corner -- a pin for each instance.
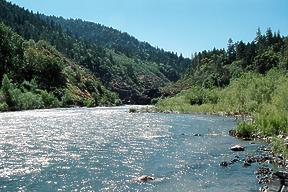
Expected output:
(271, 171)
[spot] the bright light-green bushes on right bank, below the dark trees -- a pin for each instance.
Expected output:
(262, 101)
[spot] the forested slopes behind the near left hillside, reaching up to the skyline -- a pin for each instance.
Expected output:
(133, 69)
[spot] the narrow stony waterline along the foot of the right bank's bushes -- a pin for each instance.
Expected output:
(269, 179)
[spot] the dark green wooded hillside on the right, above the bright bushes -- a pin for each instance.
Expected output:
(216, 68)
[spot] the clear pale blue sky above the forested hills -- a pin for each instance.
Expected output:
(183, 26)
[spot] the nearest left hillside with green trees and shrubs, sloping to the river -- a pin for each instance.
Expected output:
(36, 75)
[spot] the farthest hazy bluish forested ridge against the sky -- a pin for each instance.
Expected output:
(124, 43)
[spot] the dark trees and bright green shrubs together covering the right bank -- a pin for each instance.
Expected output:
(246, 79)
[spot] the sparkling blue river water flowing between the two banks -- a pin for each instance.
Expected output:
(105, 149)
